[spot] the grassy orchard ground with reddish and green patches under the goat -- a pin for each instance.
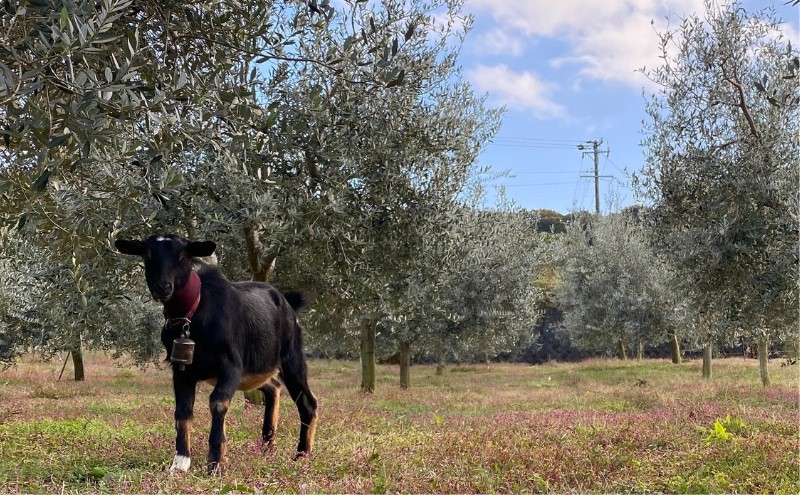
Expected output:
(597, 426)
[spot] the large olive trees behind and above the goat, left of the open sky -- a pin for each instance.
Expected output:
(324, 152)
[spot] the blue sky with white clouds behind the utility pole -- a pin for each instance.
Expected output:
(566, 71)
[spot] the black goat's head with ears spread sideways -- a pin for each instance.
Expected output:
(167, 261)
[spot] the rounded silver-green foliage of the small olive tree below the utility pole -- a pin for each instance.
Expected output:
(612, 286)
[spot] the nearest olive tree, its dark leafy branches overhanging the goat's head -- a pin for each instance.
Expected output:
(121, 116)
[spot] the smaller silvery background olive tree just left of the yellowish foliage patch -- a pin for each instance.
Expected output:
(492, 298)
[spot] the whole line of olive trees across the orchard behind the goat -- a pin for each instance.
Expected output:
(335, 151)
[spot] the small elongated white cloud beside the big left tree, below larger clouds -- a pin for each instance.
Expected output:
(517, 90)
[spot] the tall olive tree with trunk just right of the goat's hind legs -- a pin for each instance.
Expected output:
(383, 165)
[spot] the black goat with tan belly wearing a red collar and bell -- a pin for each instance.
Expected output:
(245, 333)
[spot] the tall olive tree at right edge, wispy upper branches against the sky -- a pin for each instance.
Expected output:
(722, 171)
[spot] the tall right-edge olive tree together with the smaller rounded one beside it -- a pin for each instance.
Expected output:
(715, 257)
